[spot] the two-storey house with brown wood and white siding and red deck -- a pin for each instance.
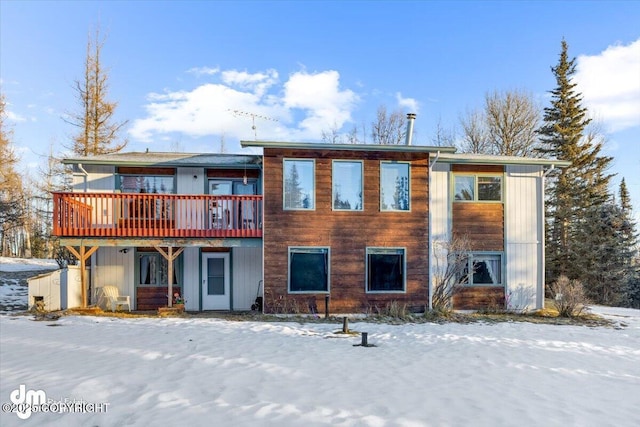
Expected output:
(303, 225)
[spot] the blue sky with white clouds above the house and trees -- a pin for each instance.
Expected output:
(179, 69)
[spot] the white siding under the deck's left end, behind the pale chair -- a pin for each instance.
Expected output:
(115, 268)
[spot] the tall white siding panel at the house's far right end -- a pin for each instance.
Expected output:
(524, 237)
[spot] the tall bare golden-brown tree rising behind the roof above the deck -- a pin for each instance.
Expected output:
(97, 131)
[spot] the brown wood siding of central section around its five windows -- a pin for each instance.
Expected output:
(346, 233)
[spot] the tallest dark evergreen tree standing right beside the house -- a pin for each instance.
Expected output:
(580, 190)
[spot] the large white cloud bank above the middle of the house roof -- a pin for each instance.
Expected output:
(240, 99)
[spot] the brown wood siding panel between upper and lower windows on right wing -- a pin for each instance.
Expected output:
(481, 223)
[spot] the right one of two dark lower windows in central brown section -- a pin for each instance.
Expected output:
(385, 270)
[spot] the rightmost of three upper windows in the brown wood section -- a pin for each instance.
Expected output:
(394, 186)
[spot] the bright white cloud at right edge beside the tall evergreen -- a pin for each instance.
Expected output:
(610, 85)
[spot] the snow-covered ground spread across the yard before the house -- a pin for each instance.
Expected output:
(214, 372)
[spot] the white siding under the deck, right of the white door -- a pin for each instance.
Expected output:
(246, 275)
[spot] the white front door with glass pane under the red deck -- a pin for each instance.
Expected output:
(216, 289)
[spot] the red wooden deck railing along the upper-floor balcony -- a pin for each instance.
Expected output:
(156, 215)
